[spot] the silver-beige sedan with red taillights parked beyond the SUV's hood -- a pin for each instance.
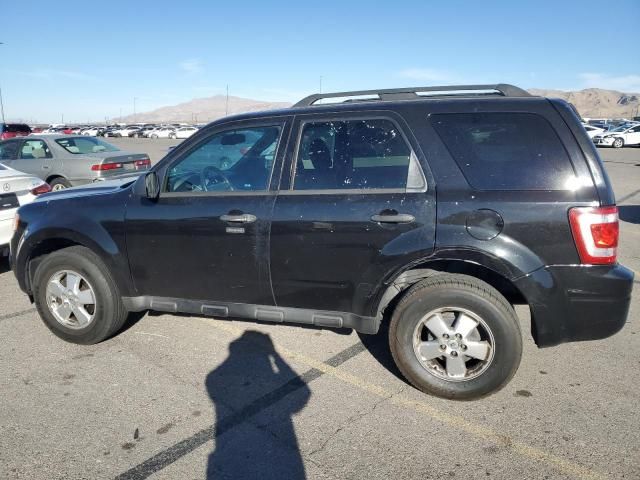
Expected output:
(68, 160)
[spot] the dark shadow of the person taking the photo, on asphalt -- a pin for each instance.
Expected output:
(253, 377)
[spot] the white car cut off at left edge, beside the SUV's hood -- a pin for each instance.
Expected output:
(16, 189)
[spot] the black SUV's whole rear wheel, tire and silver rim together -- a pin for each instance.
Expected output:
(449, 297)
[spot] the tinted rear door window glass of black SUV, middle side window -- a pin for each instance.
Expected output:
(354, 154)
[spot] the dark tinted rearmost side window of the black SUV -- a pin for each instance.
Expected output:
(505, 151)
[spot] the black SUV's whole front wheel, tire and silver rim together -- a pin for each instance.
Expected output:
(107, 313)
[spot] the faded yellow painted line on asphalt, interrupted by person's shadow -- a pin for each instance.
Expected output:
(566, 466)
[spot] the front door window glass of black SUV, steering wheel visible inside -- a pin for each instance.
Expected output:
(240, 159)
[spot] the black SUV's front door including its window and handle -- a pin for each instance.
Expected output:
(207, 235)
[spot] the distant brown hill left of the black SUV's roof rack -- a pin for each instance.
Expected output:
(201, 109)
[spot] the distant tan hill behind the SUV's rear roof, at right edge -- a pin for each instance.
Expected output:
(598, 103)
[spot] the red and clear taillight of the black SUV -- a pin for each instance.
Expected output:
(595, 231)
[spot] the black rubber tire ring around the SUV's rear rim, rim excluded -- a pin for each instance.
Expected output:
(506, 334)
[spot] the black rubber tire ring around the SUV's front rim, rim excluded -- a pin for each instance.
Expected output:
(106, 299)
